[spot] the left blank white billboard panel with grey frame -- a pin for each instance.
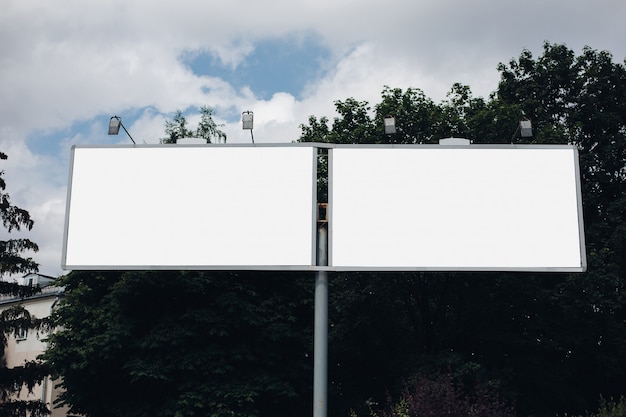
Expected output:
(177, 207)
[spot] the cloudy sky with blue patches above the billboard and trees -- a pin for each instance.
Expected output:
(67, 66)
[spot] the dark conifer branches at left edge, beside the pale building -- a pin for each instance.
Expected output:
(17, 319)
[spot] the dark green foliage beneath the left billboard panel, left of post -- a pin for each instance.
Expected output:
(184, 344)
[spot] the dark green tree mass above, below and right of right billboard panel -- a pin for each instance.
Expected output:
(551, 342)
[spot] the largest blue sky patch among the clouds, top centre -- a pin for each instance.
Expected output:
(278, 65)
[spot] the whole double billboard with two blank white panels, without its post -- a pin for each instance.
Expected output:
(394, 207)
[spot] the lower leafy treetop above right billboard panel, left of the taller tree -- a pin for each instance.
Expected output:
(418, 119)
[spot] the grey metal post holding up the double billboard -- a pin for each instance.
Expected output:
(320, 352)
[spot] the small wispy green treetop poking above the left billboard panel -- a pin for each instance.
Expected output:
(207, 128)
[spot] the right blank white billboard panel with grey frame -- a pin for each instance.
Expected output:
(456, 208)
